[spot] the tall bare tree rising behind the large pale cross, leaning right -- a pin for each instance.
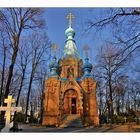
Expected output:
(15, 21)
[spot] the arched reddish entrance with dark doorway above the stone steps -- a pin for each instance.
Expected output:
(70, 102)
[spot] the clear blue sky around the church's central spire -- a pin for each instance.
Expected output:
(57, 24)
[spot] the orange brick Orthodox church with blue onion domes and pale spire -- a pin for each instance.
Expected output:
(70, 88)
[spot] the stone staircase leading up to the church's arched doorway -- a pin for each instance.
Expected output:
(72, 120)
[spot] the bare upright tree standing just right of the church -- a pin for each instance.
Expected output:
(109, 64)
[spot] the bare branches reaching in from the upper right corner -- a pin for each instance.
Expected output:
(124, 24)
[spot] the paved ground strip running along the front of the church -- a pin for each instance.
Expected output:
(116, 128)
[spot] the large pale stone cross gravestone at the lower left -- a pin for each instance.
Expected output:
(8, 110)
